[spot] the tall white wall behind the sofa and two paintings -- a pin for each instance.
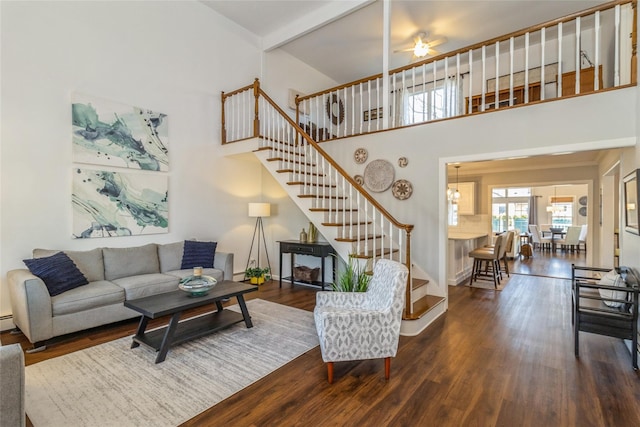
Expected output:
(172, 57)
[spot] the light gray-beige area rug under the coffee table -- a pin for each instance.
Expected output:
(114, 385)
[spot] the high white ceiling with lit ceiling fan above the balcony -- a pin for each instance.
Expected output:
(343, 38)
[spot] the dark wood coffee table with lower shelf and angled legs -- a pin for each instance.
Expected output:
(175, 303)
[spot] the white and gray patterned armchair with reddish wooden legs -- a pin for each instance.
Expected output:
(363, 325)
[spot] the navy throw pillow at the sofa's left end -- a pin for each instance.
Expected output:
(58, 272)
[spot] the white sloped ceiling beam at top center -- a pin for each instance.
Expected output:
(310, 22)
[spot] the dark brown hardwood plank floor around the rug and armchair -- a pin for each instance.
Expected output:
(494, 359)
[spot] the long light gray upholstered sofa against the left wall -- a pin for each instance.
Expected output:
(114, 275)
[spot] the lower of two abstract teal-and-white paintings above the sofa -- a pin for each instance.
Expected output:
(110, 204)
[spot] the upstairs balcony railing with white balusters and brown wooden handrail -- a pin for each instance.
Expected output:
(585, 52)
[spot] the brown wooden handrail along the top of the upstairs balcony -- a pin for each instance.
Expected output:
(514, 34)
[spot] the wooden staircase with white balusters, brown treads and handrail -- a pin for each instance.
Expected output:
(351, 219)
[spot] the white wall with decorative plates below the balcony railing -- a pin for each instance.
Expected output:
(579, 123)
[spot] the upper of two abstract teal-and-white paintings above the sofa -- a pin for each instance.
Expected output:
(117, 135)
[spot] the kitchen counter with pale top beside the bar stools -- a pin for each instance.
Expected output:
(460, 244)
